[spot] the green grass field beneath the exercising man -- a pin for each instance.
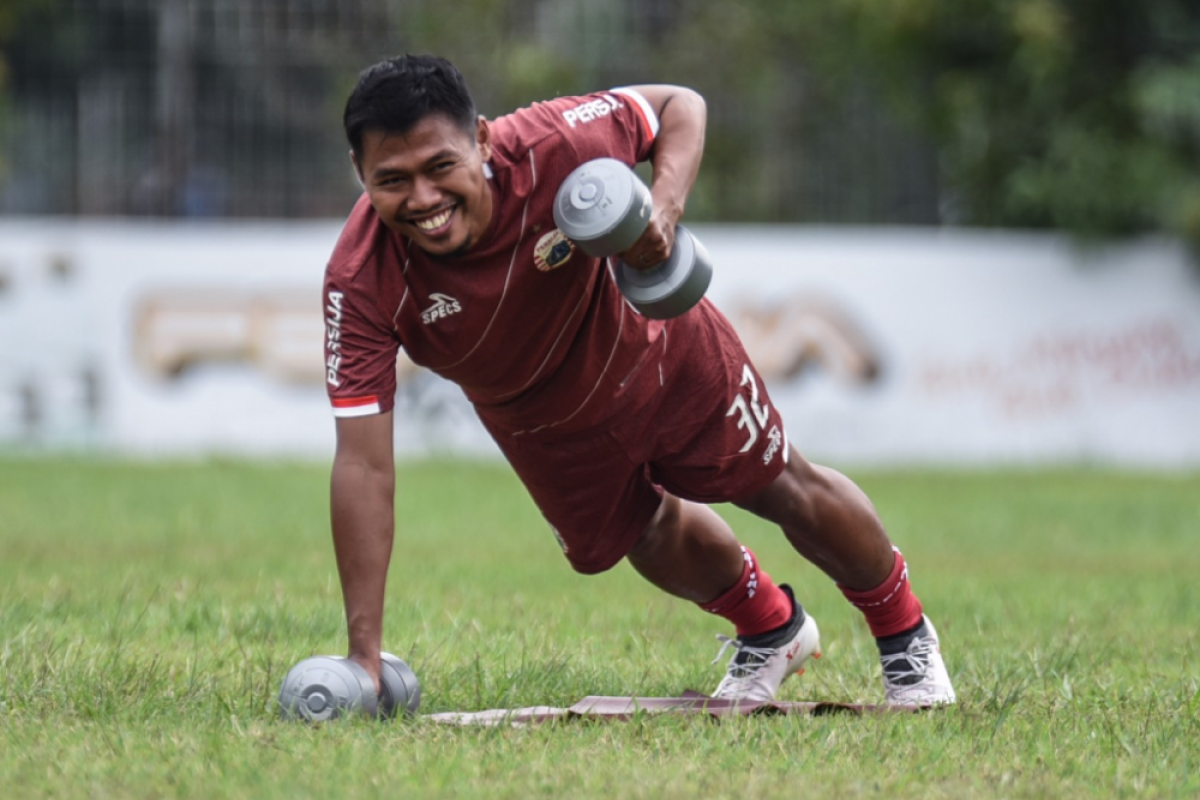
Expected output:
(148, 613)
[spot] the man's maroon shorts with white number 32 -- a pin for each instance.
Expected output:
(695, 422)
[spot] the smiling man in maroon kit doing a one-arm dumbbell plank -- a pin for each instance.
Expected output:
(621, 428)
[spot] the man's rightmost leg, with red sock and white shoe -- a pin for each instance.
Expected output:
(831, 522)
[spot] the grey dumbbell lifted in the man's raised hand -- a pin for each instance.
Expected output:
(604, 208)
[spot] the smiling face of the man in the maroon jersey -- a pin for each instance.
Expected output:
(429, 184)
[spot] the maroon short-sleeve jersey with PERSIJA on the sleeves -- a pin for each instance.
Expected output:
(531, 328)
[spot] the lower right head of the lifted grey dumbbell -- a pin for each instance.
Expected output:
(674, 287)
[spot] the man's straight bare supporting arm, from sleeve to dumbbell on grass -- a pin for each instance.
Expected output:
(363, 490)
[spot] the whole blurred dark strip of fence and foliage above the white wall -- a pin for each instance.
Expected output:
(1069, 115)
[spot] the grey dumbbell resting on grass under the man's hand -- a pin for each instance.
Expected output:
(325, 688)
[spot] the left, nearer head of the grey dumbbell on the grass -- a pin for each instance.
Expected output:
(325, 688)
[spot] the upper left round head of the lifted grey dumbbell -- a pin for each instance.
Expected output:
(603, 207)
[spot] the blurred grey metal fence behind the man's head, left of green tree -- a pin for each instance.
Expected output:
(232, 109)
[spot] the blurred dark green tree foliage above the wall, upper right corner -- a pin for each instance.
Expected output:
(1066, 115)
